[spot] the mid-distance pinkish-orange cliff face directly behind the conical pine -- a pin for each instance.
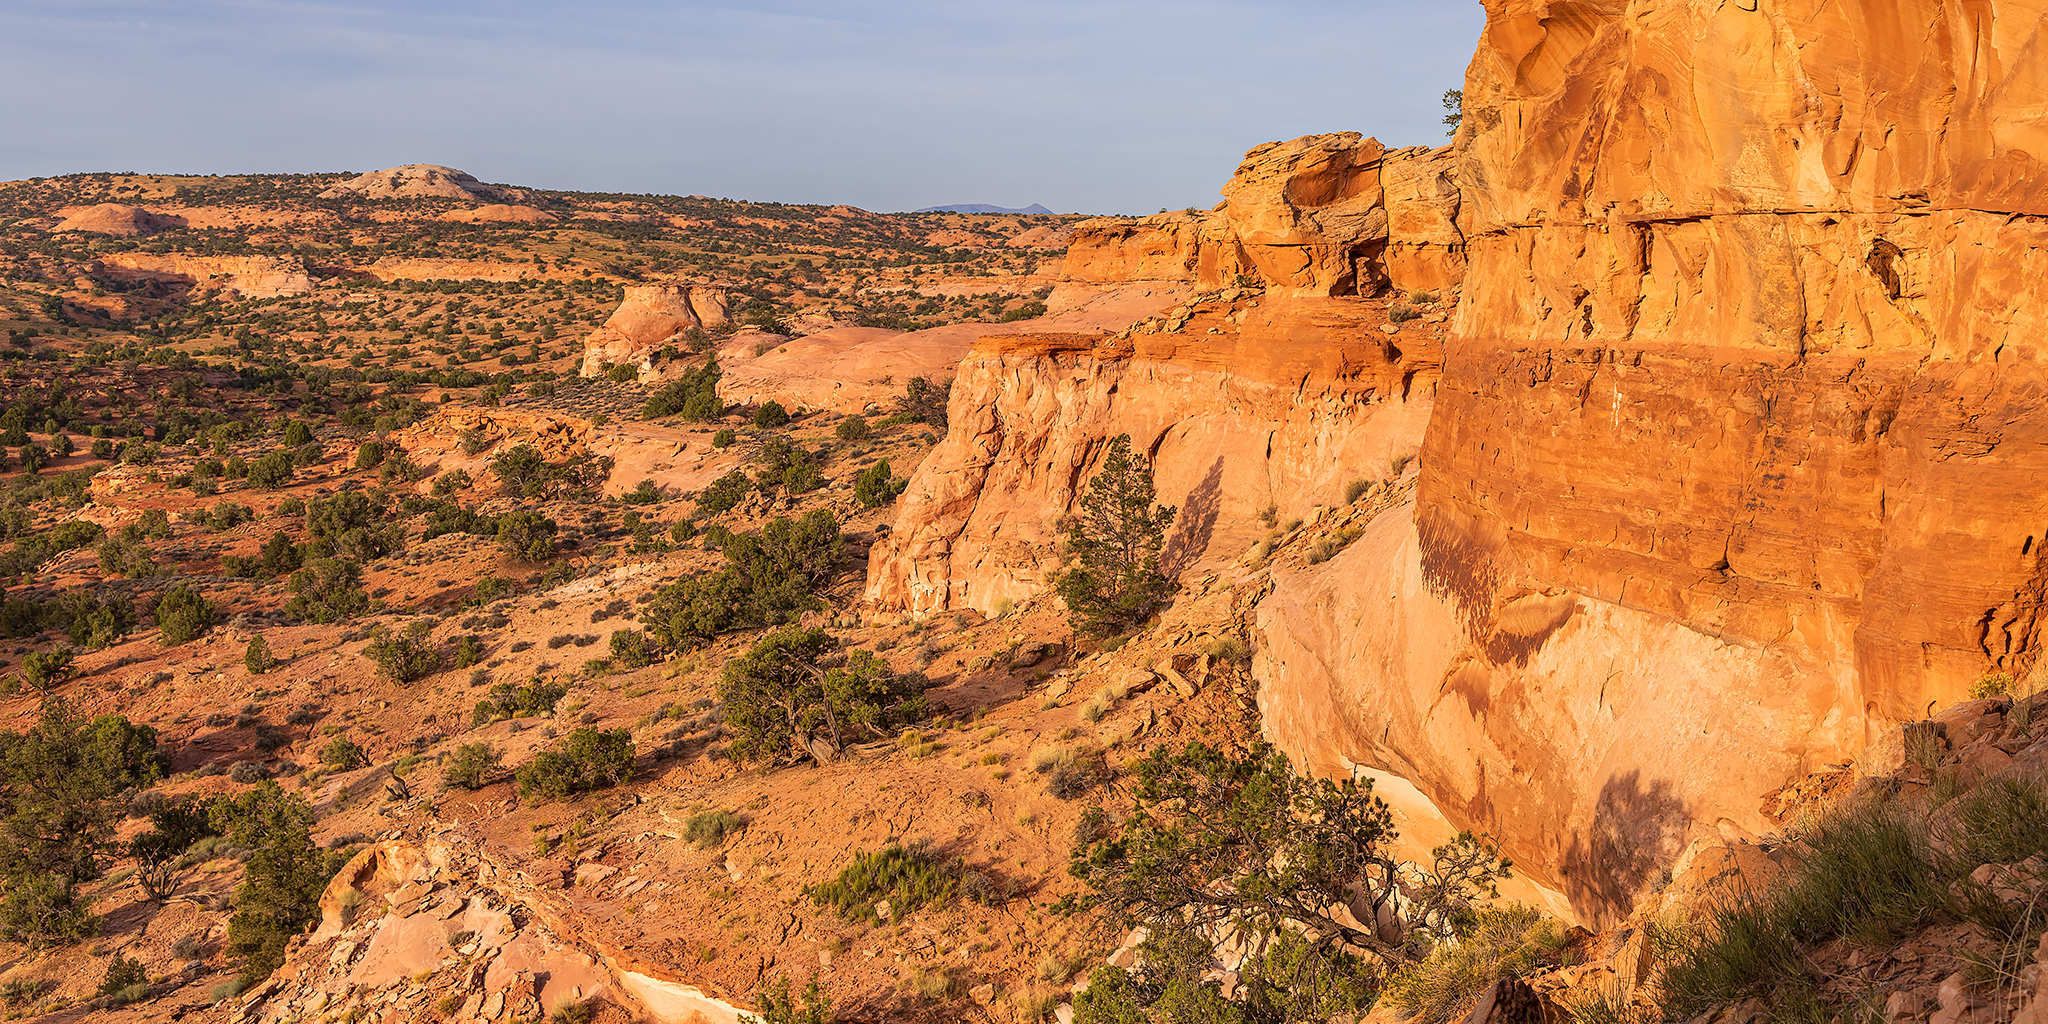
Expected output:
(1279, 407)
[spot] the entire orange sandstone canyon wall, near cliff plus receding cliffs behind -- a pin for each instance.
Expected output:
(1734, 447)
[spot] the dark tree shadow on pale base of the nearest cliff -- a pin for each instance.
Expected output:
(1631, 843)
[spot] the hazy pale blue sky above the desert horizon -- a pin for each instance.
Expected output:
(1082, 105)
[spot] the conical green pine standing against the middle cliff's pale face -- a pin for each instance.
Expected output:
(1117, 540)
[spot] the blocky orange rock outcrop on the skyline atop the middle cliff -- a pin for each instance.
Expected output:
(1316, 216)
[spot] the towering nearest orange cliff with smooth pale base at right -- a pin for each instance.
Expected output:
(1730, 452)
